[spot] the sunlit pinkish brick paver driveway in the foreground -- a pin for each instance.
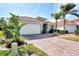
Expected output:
(55, 46)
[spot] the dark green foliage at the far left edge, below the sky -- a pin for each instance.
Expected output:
(5, 28)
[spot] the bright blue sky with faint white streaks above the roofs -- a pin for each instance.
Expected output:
(31, 9)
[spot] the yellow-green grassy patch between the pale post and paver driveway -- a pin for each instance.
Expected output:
(30, 48)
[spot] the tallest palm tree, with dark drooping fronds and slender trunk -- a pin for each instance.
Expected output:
(68, 9)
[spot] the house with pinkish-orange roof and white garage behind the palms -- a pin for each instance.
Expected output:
(69, 25)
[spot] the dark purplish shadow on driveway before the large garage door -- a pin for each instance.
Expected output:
(37, 36)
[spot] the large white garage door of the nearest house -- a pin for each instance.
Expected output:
(30, 29)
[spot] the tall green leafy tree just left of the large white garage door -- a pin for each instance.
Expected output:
(16, 25)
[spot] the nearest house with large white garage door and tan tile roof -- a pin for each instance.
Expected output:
(33, 25)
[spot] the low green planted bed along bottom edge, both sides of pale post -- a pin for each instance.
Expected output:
(26, 50)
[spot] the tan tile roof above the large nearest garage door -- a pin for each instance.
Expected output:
(37, 20)
